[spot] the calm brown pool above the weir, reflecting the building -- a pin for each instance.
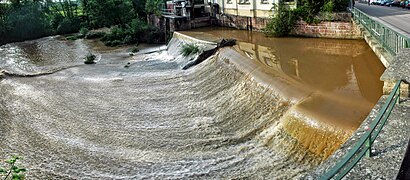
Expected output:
(342, 75)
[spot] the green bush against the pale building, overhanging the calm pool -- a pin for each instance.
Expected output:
(282, 22)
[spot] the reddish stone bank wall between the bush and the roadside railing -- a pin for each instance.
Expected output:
(340, 30)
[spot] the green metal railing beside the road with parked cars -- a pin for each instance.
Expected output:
(391, 40)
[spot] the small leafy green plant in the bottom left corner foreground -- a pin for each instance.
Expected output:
(13, 171)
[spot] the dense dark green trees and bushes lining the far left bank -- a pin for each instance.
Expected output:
(29, 19)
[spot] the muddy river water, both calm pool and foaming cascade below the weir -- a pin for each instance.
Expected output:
(266, 108)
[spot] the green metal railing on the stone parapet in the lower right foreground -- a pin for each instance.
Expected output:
(363, 146)
